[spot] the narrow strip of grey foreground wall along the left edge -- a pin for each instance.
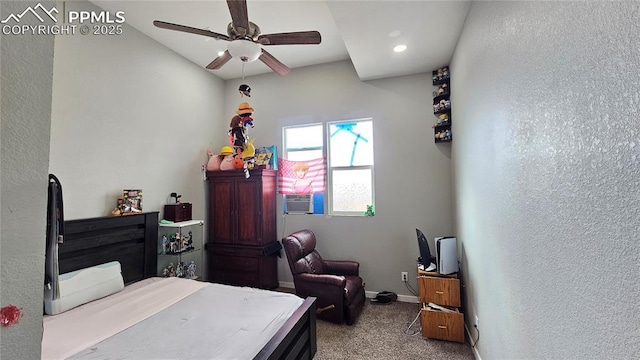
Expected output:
(25, 86)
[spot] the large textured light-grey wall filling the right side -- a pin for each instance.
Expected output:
(546, 162)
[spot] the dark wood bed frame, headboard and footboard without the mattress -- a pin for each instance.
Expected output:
(132, 240)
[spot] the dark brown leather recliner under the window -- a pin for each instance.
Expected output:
(336, 284)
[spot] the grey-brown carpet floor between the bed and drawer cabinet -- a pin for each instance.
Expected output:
(381, 333)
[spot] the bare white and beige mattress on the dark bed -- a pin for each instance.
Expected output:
(169, 318)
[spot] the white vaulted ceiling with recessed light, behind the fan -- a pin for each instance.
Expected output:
(363, 31)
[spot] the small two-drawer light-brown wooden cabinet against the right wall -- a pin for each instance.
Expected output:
(443, 290)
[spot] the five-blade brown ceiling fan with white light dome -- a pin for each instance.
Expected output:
(245, 39)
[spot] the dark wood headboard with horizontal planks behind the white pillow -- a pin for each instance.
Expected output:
(131, 240)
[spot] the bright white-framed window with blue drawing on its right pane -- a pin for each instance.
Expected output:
(349, 166)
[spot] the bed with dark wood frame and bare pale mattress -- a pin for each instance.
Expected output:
(199, 306)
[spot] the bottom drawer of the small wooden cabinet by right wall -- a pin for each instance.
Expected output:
(442, 325)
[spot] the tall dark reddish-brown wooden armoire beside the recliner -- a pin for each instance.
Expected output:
(242, 245)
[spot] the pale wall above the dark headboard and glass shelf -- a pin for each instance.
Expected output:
(129, 113)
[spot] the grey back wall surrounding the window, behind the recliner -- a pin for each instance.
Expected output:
(412, 173)
